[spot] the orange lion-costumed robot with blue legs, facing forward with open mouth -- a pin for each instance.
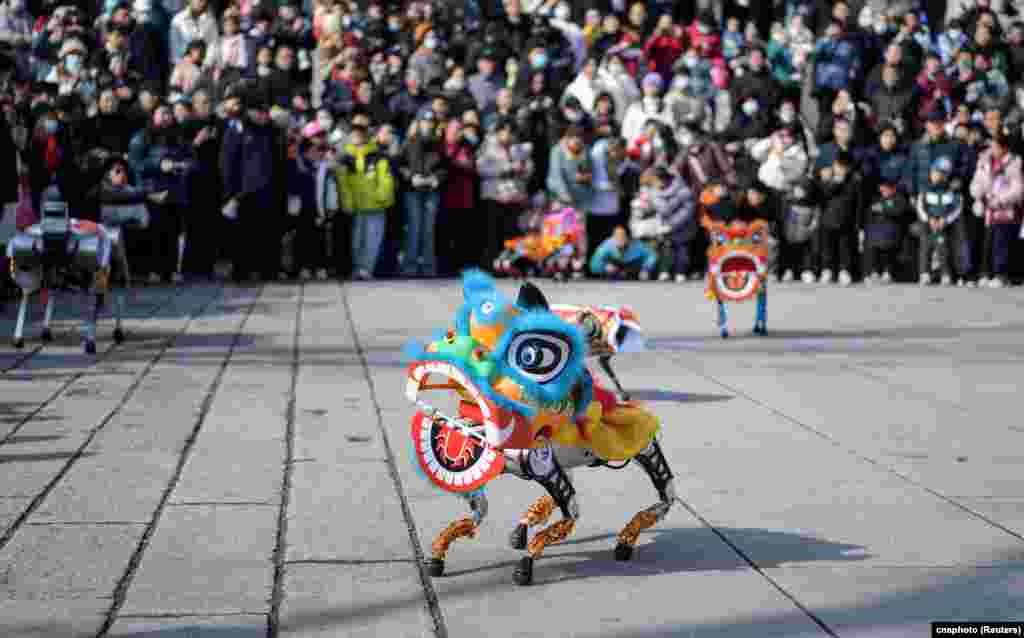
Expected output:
(738, 263)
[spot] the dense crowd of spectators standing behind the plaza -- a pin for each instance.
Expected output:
(370, 139)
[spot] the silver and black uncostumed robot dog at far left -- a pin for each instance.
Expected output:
(64, 253)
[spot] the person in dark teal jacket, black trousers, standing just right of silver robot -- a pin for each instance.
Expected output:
(162, 155)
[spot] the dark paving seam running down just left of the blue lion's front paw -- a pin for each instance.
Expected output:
(433, 603)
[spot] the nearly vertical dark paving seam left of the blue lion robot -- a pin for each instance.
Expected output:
(280, 548)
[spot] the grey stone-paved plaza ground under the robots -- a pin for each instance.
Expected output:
(241, 467)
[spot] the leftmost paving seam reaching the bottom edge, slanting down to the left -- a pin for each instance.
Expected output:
(121, 589)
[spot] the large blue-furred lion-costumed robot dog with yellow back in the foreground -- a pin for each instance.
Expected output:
(528, 407)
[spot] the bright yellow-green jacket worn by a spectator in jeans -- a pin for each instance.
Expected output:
(365, 181)
